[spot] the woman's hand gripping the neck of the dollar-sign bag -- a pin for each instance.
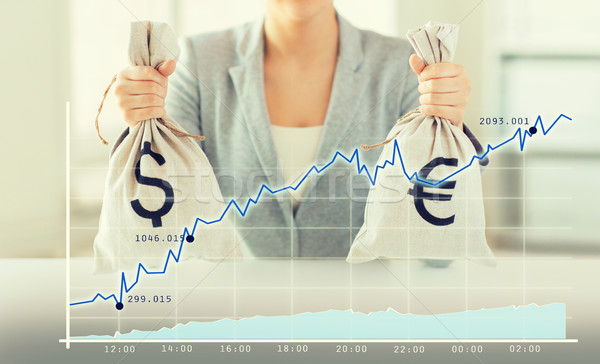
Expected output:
(140, 92)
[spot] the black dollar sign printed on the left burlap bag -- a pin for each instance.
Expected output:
(155, 216)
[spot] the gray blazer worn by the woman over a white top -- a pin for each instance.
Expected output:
(218, 91)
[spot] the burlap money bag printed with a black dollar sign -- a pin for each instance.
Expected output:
(159, 181)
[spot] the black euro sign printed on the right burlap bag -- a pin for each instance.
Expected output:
(419, 194)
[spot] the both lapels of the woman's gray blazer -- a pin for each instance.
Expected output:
(348, 86)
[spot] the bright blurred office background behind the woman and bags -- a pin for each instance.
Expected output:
(525, 58)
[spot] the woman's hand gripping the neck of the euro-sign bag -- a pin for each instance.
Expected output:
(444, 88)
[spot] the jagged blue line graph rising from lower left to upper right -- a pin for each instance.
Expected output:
(520, 134)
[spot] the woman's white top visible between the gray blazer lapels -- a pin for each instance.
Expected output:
(296, 149)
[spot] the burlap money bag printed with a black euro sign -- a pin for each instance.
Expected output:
(440, 217)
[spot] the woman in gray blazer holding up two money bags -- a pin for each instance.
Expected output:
(278, 95)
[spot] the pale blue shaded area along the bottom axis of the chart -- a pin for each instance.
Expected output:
(526, 322)
